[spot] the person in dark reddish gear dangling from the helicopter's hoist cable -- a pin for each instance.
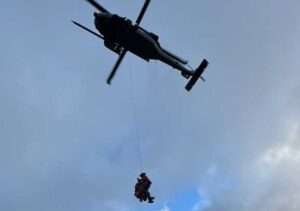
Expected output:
(142, 188)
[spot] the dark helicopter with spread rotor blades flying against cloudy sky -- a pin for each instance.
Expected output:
(120, 35)
